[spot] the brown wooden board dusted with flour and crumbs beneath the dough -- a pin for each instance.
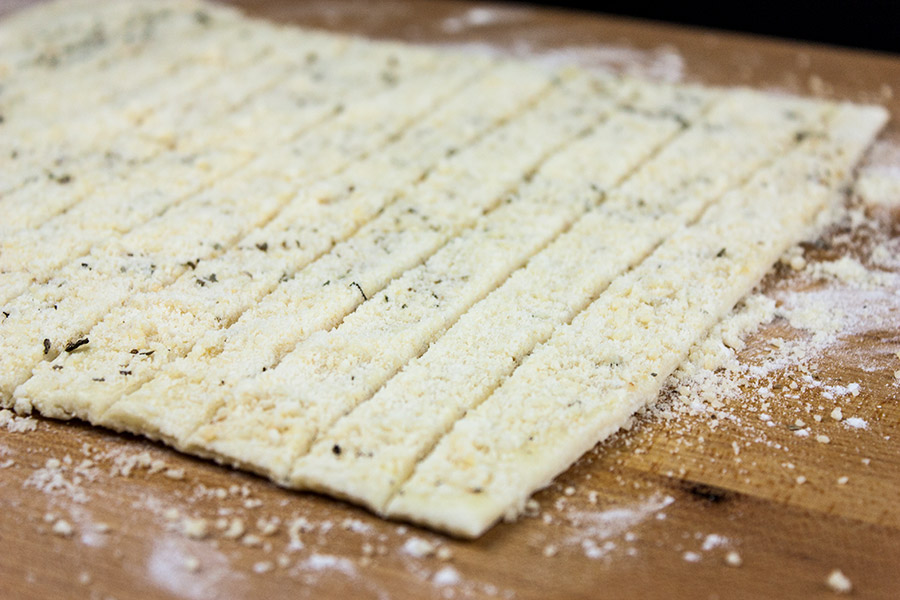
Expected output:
(652, 513)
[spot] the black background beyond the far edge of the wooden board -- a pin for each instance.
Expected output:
(871, 24)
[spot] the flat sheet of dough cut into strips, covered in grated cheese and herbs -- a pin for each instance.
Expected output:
(420, 280)
